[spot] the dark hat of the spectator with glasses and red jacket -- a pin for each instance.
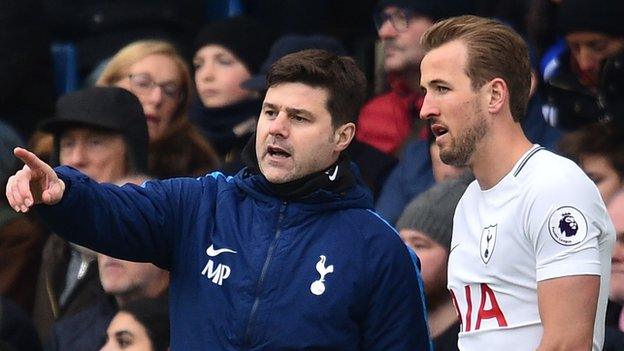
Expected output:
(433, 9)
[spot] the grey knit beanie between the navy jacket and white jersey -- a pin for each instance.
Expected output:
(432, 211)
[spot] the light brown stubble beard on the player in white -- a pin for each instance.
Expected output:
(464, 145)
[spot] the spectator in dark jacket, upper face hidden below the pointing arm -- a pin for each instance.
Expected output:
(123, 282)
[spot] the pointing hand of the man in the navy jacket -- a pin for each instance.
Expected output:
(35, 183)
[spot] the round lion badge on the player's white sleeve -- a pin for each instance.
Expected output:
(567, 226)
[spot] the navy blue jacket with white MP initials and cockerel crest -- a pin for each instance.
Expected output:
(251, 272)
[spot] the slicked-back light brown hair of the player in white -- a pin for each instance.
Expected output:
(494, 51)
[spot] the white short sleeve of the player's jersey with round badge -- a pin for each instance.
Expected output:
(564, 221)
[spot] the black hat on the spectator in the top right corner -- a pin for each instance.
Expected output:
(604, 16)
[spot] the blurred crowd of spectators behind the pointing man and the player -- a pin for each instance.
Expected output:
(169, 89)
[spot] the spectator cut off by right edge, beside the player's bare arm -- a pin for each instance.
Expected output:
(614, 333)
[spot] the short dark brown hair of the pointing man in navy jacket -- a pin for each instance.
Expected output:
(340, 75)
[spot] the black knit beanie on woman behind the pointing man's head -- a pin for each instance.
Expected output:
(244, 37)
